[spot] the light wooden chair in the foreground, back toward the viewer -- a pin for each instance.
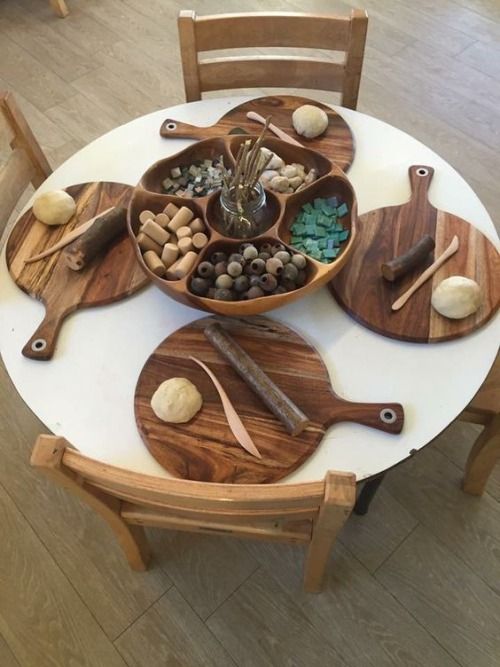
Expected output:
(311, 513)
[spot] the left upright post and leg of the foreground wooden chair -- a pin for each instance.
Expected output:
(47, 455)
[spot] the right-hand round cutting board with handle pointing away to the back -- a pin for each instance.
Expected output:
(387, 232)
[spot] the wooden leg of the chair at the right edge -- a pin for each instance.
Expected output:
(484, 454)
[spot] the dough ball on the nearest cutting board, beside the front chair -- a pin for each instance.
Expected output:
(176, 400)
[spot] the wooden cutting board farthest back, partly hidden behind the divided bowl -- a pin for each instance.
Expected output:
(337, 143)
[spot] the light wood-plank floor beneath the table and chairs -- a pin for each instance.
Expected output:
(417, 581)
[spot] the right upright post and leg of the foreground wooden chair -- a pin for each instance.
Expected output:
(340, 495)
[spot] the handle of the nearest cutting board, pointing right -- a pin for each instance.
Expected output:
(388, 417)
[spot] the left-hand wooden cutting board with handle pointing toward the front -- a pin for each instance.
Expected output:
(111, 277)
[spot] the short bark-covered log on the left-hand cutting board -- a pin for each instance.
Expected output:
(96, 239)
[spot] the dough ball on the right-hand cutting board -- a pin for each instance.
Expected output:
(456, 297)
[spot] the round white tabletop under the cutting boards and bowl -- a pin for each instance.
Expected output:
(85, 393)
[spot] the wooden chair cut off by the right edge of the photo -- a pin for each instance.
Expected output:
(484, 409)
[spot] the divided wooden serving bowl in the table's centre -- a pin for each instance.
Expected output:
(282, 210)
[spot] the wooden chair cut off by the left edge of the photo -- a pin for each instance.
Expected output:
(26, 163)
